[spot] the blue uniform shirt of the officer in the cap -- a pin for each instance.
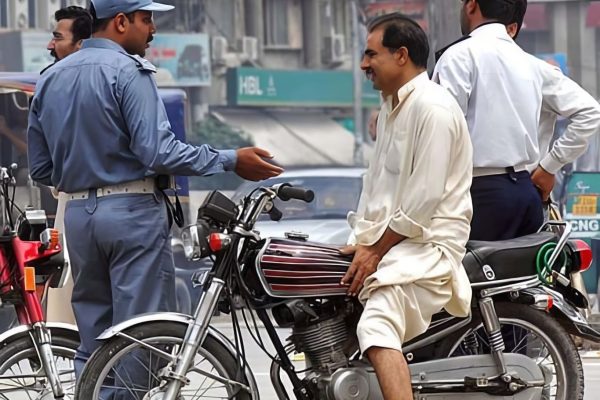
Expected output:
(97, 119)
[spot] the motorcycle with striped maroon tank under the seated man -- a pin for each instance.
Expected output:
(514, 344)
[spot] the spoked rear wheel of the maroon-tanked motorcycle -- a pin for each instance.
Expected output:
(537, 335)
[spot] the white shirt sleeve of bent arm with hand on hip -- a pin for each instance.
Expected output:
(563, 97)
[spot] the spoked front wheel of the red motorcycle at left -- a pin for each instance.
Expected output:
(22, 376)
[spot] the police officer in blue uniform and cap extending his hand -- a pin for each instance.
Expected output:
(99, 132)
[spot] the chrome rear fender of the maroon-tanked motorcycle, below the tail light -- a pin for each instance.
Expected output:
(569, 317)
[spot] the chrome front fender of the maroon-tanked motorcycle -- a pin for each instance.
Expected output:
(184, 320)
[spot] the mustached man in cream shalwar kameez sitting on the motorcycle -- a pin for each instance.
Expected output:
(410, 230)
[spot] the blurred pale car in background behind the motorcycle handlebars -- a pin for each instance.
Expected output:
(337, 191)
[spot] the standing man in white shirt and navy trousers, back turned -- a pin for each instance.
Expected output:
(499, 88)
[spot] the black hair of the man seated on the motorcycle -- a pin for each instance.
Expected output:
(401, 31)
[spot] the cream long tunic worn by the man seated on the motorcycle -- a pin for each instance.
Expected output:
(417, 184)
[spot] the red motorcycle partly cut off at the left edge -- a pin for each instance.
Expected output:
(36, 357)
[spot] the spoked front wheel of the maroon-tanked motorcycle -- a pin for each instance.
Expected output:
(125, 369)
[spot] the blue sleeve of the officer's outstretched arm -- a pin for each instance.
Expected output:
(152, 139)
